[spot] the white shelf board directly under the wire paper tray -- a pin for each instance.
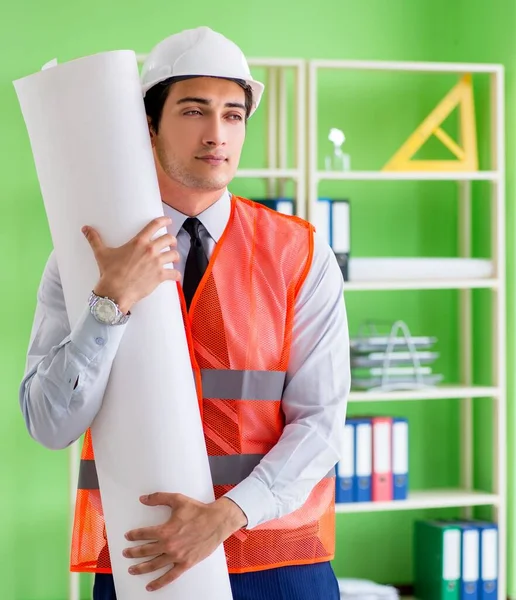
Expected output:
(438, 393)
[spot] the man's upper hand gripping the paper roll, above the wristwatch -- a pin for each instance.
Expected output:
(132, 271)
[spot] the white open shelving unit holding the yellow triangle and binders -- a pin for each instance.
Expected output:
(466, 497)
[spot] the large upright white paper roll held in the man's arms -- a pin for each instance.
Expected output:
(90, 141)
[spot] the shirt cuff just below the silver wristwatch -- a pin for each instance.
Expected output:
(89, 336)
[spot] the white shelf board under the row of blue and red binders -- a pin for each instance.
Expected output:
(444, 498)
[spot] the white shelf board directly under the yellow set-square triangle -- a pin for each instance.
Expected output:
(408, 175)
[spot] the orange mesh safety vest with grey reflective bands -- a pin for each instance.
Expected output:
(239, 330)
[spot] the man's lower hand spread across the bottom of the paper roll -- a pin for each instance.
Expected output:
(191, 534)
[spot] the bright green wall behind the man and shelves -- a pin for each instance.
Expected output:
(421, 221)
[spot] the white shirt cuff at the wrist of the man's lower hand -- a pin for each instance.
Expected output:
(255, 500)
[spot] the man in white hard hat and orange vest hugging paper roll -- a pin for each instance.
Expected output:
(263, 302)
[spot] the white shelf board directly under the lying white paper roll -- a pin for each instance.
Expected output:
(423, 284)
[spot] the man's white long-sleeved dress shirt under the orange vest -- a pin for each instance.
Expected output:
(314, 399)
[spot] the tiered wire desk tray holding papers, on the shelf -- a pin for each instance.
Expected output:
(393, 361)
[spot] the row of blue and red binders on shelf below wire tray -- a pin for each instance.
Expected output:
(374, 460)
